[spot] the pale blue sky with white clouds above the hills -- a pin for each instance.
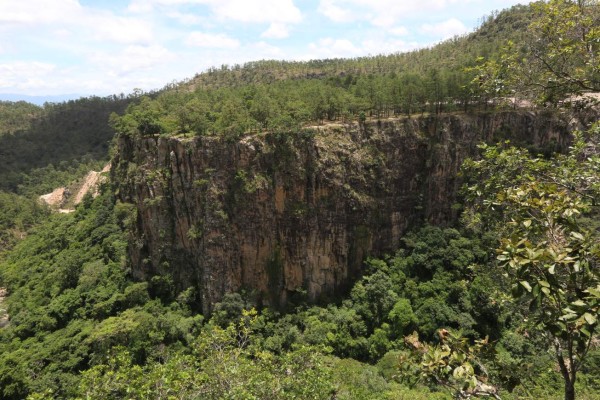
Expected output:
(101, 47)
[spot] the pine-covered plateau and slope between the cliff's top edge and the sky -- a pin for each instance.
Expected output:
(279, 95)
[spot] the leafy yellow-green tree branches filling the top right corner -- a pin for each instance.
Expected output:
(556, 59)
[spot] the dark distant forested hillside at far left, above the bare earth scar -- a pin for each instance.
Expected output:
(51, 142)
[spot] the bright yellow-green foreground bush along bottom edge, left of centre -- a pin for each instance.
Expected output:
(225, 363)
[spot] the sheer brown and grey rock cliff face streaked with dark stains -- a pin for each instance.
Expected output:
(281, 213)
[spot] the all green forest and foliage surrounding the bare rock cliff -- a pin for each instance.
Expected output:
(504, 302)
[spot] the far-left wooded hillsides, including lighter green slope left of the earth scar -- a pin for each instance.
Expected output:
(42, 148)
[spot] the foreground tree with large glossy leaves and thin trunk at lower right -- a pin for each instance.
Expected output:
(548, 249)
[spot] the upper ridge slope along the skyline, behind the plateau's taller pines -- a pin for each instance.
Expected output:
(494, 31)
